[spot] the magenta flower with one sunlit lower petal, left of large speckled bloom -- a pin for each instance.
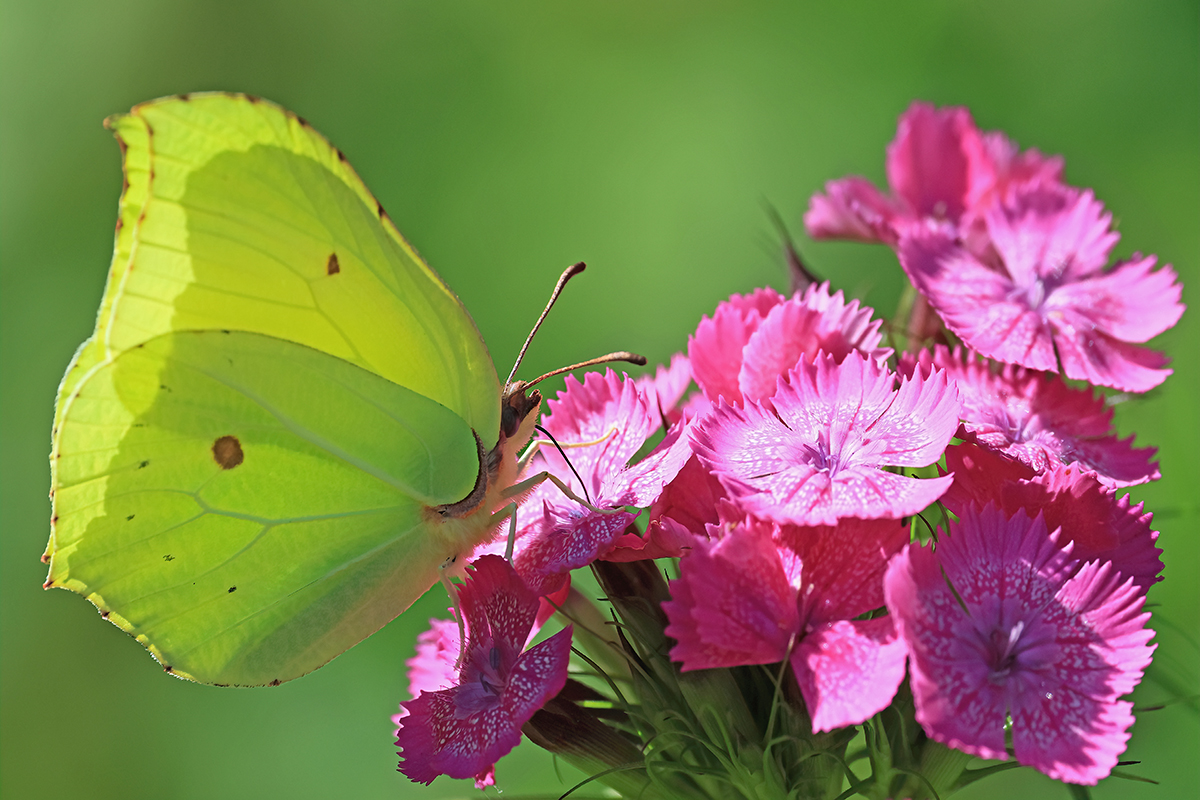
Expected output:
(761, 594)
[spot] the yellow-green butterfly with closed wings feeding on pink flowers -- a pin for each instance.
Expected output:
(285, 423)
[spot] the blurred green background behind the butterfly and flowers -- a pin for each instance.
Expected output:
(509, 140)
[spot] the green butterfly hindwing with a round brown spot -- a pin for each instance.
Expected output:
(250, 508)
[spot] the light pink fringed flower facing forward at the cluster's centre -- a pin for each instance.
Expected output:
(815, 453)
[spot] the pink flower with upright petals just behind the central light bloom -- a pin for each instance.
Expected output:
(741, 353)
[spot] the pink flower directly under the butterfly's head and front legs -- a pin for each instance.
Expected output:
(602, 424)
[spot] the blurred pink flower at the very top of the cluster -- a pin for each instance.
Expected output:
(940, 167)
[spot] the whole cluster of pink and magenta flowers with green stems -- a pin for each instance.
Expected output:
(909, 537)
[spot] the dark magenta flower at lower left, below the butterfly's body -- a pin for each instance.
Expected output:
(463, 731)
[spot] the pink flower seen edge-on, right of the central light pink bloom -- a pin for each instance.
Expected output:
(1037, 419)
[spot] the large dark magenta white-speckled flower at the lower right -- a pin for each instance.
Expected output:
(1024, 634)
